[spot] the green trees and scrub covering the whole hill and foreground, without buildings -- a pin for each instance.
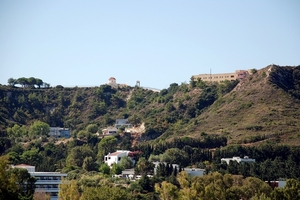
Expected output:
(193, 125)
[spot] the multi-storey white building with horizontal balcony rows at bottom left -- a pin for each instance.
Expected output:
(47, 182)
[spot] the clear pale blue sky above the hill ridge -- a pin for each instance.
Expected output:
(158, 42)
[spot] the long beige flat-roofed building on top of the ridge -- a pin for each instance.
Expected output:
(237, 75)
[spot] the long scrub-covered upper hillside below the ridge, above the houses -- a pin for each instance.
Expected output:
(263, 108)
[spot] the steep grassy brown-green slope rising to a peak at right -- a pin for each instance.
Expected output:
(265, 106)
